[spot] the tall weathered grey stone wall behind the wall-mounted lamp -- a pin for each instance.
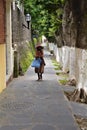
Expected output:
(21, 36)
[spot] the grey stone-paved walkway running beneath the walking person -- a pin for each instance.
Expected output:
(27, 104)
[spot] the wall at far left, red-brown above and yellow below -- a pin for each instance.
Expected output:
(2, 46)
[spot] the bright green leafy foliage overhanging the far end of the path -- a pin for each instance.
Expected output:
(46, 16)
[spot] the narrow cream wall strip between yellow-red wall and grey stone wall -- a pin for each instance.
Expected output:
(9, 49)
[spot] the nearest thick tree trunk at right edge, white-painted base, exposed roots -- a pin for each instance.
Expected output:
(79, 40)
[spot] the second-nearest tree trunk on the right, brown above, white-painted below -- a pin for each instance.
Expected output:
(66, 36)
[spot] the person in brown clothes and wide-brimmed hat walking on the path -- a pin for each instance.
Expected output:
(39, 54)
